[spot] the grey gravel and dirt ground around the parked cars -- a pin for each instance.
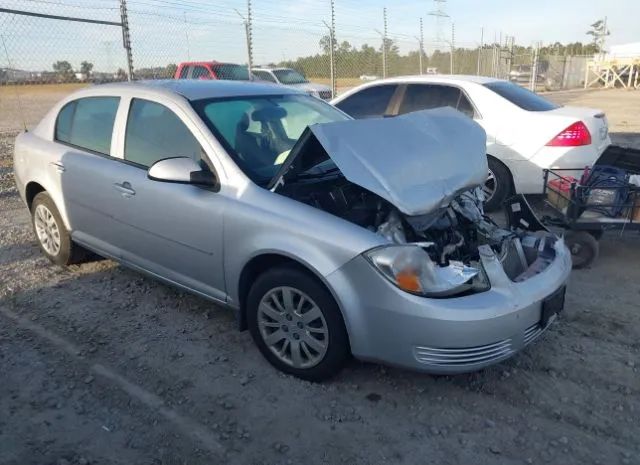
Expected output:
(100, 365)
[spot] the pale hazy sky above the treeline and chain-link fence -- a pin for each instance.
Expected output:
(165, 31)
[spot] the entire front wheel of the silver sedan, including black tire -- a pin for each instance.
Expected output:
(286, 325)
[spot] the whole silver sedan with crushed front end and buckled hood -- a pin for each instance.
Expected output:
(328, 237)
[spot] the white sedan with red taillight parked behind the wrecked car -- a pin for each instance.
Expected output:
(526, 133)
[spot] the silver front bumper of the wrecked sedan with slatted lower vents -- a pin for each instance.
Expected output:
(447, 336)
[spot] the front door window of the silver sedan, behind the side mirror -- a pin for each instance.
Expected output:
(154, 133)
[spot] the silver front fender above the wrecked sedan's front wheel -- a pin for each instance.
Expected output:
(264, 223)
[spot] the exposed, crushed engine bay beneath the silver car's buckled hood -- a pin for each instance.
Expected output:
(451, 236)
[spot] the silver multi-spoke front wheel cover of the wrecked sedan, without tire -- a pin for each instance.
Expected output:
(293, 327)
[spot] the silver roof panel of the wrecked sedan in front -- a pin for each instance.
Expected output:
(193, 89)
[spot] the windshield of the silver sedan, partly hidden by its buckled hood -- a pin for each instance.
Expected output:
(258, 132)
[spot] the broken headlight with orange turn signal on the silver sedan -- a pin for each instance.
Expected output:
(411, 269)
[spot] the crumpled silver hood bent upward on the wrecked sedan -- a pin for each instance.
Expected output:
(418, 162)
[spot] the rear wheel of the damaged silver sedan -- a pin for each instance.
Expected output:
(52, 235)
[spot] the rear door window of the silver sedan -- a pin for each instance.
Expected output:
(88, 123)
